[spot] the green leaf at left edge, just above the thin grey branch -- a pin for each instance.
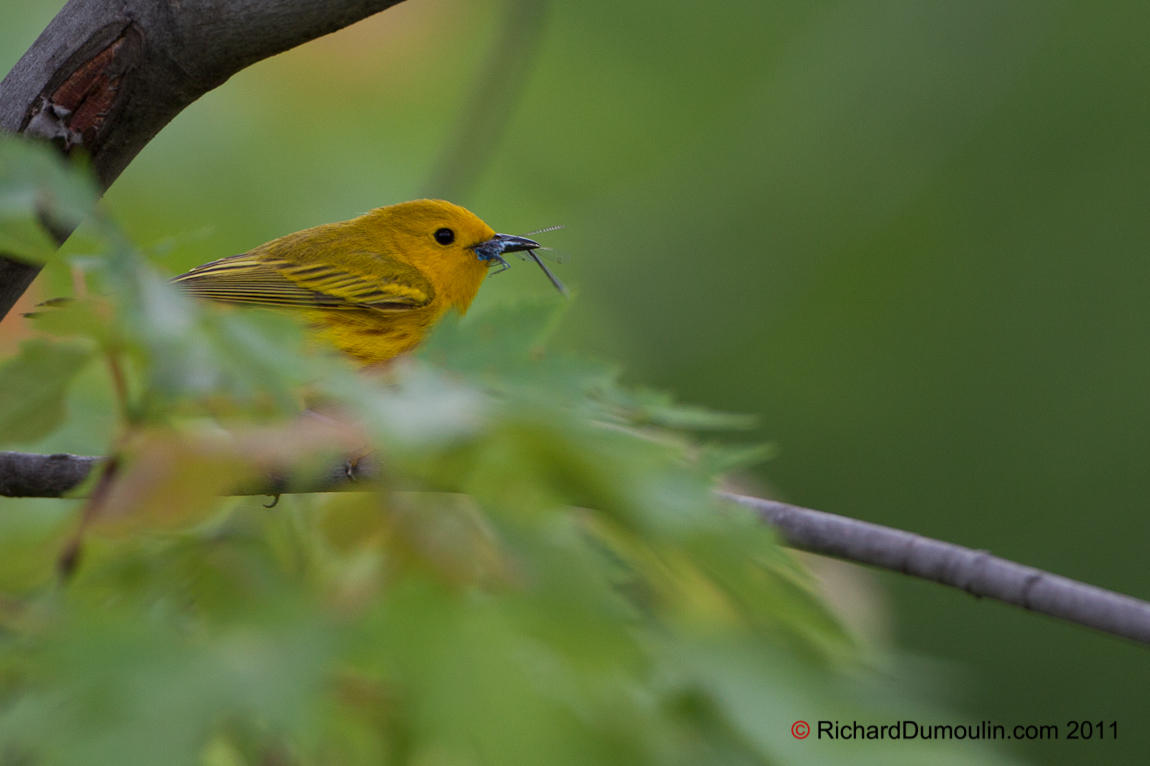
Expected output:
(33, 387)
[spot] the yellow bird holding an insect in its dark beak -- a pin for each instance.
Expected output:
(372, 287)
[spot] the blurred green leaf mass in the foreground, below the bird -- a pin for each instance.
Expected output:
(541, 576)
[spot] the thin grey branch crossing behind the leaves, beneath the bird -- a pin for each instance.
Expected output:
(976, 572)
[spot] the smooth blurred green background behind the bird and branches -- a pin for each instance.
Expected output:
(911, 236)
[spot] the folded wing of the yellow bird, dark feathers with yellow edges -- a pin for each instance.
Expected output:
(271, 281)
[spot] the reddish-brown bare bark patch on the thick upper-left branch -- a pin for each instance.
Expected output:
(76, 111)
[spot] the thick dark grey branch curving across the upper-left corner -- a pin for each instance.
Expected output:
(108, 76)
